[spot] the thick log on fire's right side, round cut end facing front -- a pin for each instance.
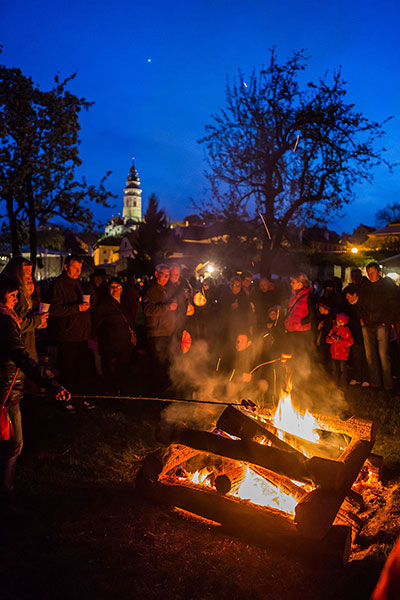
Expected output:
(316, 512)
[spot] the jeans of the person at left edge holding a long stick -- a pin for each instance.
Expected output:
(10, 450)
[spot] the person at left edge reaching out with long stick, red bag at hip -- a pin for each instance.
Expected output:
(15, 362)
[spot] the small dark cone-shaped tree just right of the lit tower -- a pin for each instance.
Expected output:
(154, 239)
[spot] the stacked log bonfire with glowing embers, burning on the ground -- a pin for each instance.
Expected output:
(251, 479)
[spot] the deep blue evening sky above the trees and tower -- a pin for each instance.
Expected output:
(157, 71)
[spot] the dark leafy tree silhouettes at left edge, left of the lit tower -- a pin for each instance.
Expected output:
(39, 152)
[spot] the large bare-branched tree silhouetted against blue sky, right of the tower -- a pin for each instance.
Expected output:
(291, 154)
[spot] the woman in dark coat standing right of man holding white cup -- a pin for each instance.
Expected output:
(113, 326)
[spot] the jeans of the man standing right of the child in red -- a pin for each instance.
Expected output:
(376, 344)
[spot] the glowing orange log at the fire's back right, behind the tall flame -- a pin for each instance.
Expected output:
(355, 427)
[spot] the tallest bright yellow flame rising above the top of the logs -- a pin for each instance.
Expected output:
(288, 419)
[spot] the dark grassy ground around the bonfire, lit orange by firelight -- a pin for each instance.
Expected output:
(93, 536)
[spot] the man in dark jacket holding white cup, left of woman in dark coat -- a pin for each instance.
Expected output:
(71, 317)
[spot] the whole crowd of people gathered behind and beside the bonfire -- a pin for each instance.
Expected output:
(121, 337)
